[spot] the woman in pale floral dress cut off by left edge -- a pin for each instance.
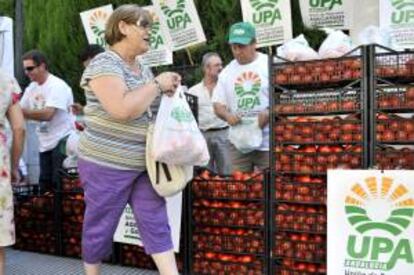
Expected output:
(9, 166)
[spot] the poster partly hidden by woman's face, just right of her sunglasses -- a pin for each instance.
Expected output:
(159, 53)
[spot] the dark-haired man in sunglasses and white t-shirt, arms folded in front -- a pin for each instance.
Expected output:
(48, 100)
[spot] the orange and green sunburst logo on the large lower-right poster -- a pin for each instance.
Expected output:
(382, 206)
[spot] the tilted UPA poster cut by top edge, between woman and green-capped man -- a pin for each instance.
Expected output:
(179, 19)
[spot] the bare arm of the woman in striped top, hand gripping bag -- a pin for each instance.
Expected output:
(125, 105)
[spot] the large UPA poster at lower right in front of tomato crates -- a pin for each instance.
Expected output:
(371, 222)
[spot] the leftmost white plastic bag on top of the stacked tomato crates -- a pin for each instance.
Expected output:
(297, 49)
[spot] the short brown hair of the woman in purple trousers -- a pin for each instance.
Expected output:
(130, 14)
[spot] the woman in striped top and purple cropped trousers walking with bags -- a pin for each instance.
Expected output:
(122, 96)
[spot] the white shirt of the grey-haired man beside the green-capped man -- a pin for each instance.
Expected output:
(207, 119)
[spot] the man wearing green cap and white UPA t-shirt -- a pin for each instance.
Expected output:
(241, 98)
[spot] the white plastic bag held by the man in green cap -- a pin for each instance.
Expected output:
(247, 135)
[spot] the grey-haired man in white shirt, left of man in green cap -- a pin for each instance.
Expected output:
(214, 129)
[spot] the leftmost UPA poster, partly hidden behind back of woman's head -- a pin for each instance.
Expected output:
(94, 21)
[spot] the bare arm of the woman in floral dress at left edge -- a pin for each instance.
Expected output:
(15, 117)
